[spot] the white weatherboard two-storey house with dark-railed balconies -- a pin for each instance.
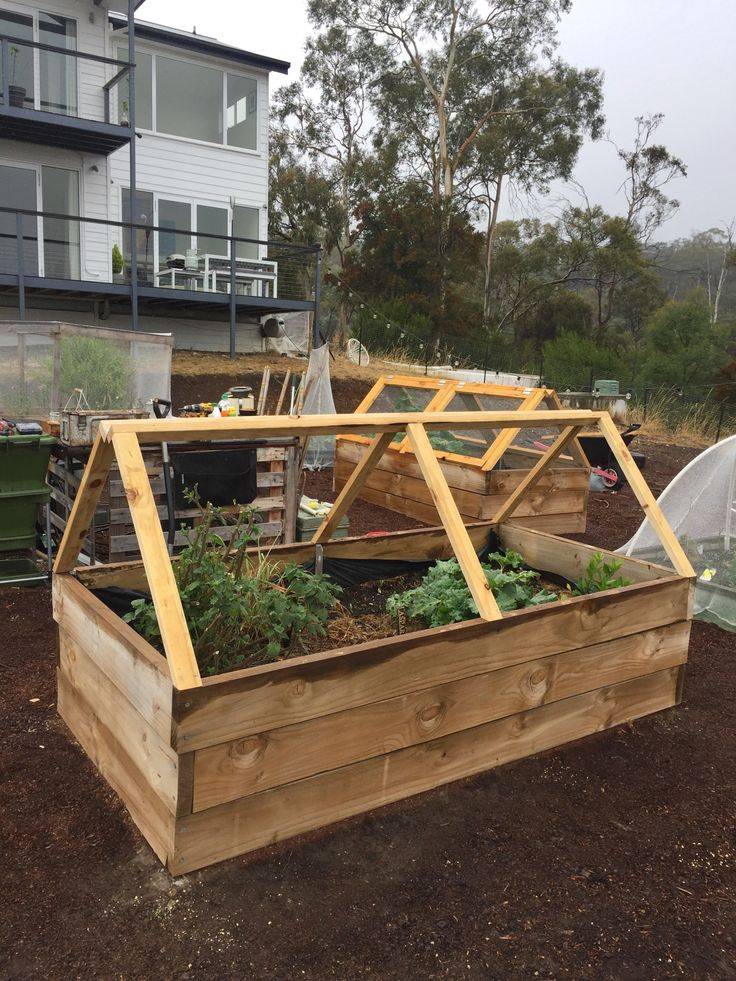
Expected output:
(134, 179)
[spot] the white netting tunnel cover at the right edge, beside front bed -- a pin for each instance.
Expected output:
(700, 507)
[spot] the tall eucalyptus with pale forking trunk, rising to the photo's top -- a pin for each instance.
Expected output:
(451, 55)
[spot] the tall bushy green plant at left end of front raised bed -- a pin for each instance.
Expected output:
(241, 609)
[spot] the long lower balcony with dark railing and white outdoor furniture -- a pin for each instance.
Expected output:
(176, 271)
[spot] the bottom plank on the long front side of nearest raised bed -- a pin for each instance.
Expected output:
(274, 815)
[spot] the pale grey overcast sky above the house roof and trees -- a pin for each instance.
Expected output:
(670, 56)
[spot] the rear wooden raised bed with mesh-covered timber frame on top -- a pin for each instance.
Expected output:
(488, 470)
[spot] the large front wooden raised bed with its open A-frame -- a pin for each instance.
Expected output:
(212, 768)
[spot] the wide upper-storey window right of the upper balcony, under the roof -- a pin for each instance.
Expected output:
(194, 101)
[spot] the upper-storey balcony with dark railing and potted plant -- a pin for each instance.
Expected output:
(43, 101)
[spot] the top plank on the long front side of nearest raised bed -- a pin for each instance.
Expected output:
(263, 698)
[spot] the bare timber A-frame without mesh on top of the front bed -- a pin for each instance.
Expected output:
(122, 440)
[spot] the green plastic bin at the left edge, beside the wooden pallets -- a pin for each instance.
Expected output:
(24, 461)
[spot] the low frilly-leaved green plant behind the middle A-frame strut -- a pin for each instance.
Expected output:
(443, 596)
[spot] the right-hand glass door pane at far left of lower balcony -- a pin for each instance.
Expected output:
(60, 194)
